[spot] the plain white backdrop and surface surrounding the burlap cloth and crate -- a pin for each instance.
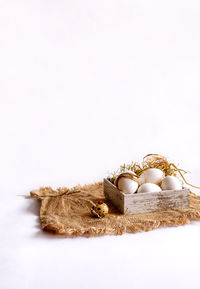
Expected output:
(84, 87)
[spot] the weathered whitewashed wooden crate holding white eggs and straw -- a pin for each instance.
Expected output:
(146, 202)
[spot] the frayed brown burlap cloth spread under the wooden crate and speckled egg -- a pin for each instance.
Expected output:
(67, 212)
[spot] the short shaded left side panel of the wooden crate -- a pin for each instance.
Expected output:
(114, 195)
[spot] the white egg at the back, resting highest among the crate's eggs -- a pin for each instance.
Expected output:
(151, 175)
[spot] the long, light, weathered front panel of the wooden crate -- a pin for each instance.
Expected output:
(161, 201)
